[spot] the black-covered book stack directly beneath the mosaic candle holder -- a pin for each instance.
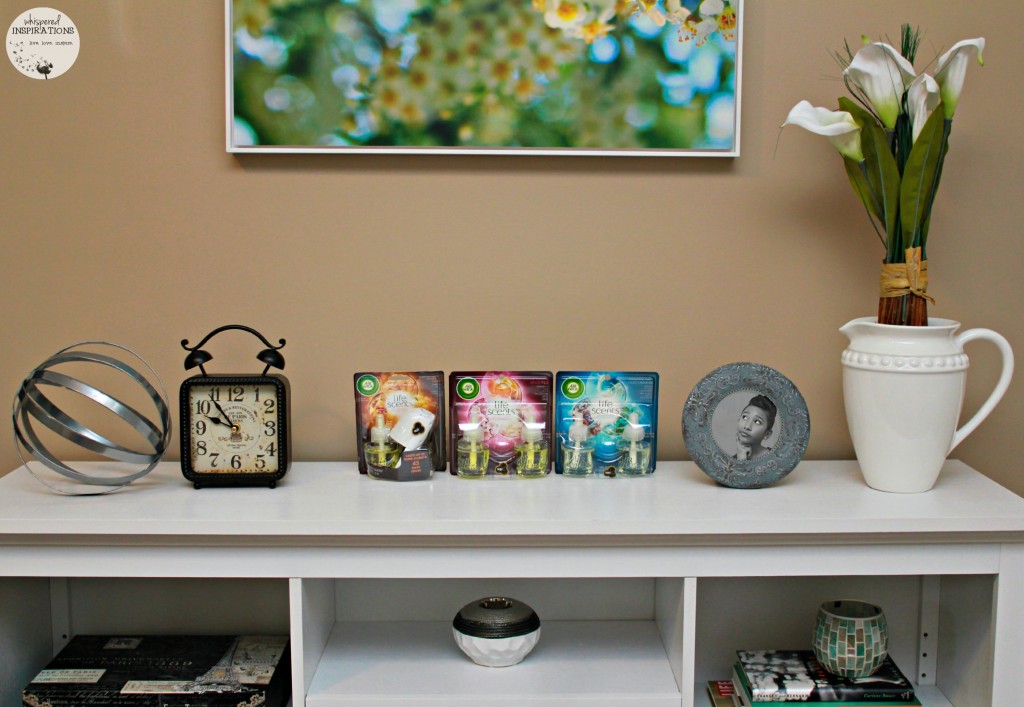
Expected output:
(761, 677)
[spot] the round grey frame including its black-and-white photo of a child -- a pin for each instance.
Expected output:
(735, 435)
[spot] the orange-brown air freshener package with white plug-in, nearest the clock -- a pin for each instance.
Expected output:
(400, 425)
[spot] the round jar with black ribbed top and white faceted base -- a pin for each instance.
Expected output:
(496, 632)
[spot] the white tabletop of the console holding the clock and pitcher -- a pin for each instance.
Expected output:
(332, 501)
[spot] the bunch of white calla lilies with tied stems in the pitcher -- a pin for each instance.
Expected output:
(894, 142)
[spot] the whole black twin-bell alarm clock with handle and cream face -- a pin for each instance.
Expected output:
(235, 427)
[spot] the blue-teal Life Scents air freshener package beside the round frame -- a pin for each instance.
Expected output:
(606, 424)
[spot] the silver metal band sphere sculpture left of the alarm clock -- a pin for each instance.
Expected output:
(33, 406)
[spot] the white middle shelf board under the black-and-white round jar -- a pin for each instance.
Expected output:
(608, 663)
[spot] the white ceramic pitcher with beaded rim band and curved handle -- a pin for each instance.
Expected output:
(904, 389)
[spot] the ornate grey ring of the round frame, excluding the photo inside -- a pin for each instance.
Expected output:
(753, 474)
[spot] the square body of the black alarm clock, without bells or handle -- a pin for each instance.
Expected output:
(235, 428)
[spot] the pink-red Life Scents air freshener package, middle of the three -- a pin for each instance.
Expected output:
(501, 424)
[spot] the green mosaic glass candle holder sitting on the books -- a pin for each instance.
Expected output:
(851, 639)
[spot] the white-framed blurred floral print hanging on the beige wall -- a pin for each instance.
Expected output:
(630, 77)
